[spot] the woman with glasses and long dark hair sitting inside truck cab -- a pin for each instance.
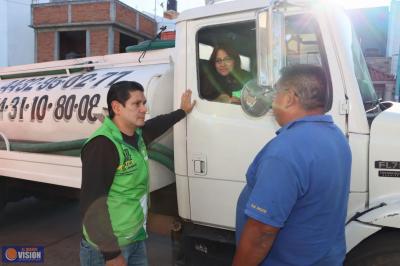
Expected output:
(222, 79)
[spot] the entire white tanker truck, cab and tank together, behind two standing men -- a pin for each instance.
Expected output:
(54, 106)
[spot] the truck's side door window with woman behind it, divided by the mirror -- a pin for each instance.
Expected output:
(222, 81)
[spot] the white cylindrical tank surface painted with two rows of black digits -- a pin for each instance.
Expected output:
(63, 107)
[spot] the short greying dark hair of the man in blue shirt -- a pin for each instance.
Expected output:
(309, 83)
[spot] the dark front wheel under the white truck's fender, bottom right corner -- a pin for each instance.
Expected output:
(381, 249)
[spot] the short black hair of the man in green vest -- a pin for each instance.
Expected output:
(119, 92)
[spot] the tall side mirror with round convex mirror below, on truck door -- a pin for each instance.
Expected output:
(257, 96)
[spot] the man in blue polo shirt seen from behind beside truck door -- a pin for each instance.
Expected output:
(293, 209)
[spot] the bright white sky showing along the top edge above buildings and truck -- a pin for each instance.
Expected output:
(150, 5)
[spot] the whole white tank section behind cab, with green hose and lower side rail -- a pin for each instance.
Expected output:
(45, 114)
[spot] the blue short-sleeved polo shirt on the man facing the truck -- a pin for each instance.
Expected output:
(299, 182)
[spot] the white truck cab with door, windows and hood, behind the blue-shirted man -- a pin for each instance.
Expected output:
(219, 140)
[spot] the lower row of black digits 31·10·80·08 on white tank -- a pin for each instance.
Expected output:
(64, 108)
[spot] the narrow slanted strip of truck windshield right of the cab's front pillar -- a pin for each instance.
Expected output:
(368, 94)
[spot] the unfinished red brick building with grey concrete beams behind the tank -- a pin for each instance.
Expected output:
(70, 29)
